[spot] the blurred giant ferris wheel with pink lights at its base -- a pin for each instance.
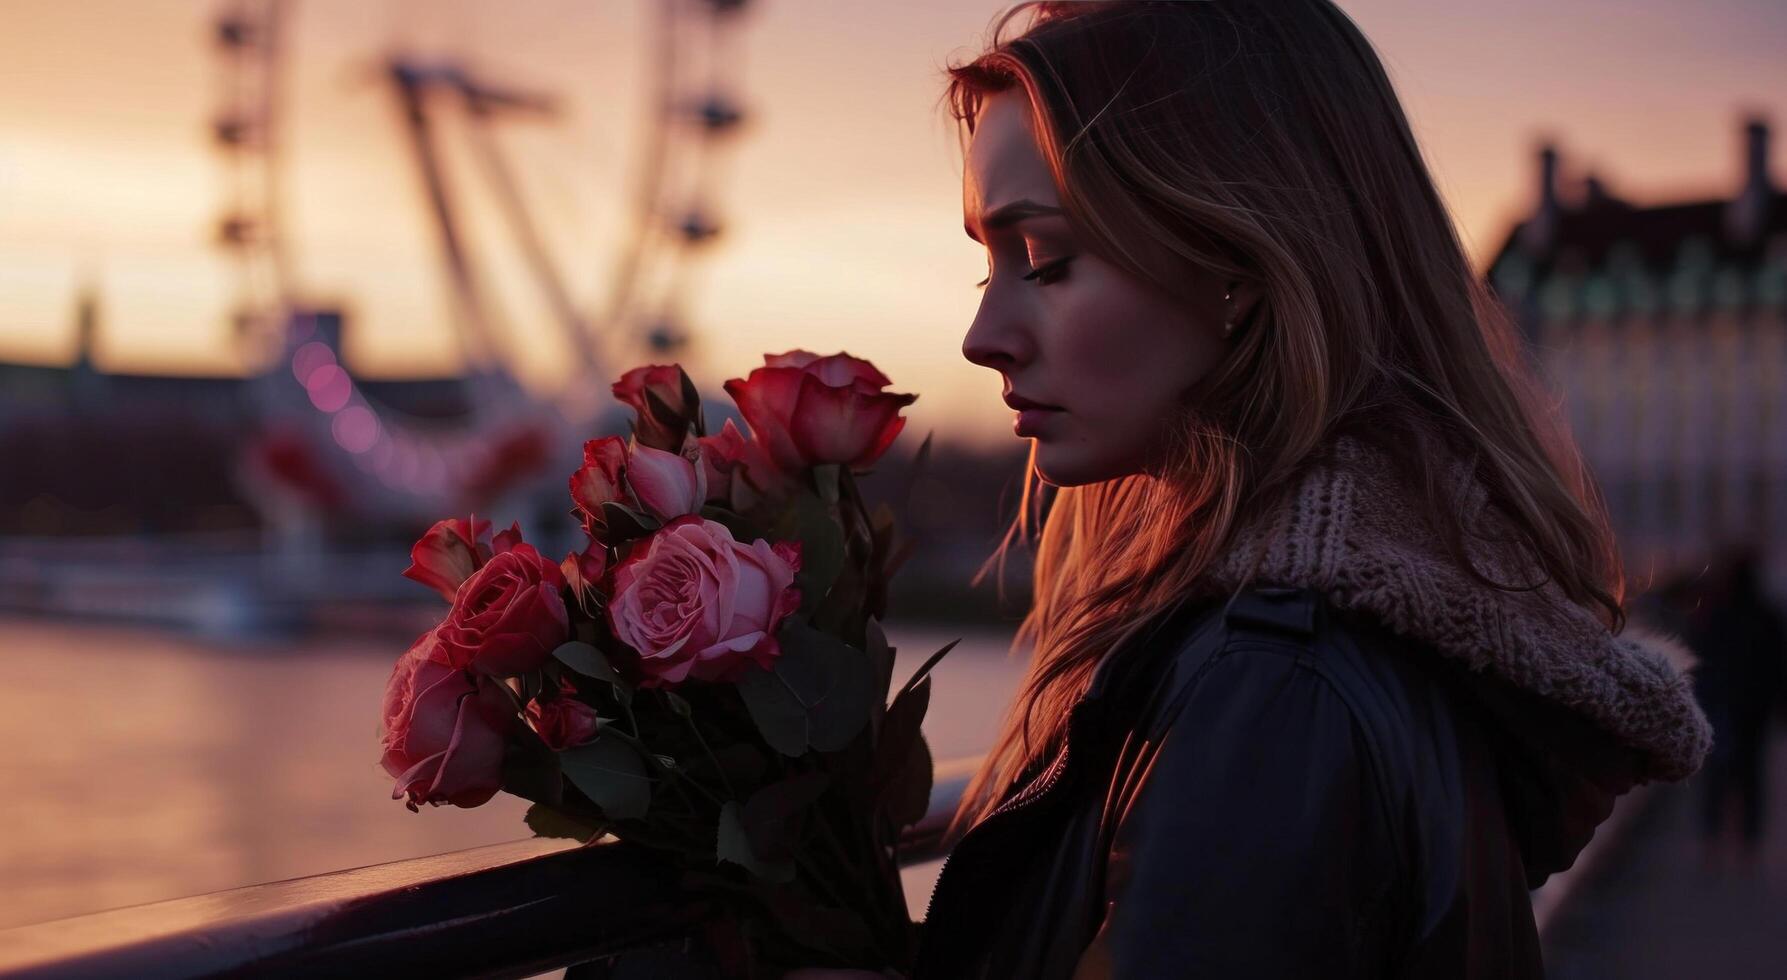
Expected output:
(328, 435)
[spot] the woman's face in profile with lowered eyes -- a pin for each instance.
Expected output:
(1096, 364)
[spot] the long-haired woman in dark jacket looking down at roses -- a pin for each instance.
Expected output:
(1329, 646)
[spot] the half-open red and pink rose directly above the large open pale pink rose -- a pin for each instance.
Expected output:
(635, 475)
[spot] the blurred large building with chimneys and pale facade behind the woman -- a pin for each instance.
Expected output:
(1665, 332)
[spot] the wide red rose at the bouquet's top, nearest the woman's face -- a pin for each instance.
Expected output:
(807, 410)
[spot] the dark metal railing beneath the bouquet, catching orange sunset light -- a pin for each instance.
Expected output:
(514, 909)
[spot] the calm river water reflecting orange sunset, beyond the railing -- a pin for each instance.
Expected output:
(144, 765)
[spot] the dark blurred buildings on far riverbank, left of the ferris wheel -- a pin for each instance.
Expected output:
(113, 453)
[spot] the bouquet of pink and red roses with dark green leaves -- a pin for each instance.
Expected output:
(709, 677)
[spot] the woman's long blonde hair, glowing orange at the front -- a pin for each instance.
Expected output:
(1263, 140)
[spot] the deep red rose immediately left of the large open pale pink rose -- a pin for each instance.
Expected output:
(508, 618)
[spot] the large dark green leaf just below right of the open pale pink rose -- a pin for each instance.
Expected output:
(818, 695)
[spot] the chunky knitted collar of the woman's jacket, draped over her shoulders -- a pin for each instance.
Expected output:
(1348, 530)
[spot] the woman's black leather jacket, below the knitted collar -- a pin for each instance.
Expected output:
(1270, 790)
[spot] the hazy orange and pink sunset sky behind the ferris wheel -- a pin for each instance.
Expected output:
(841, 203)
